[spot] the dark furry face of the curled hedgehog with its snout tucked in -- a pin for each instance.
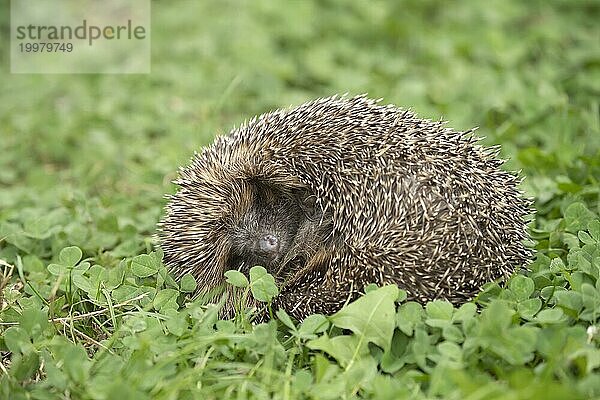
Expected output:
(271, 230)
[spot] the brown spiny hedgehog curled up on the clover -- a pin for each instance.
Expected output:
(339, 193)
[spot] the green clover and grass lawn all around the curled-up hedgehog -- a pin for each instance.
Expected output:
(87, 309)
